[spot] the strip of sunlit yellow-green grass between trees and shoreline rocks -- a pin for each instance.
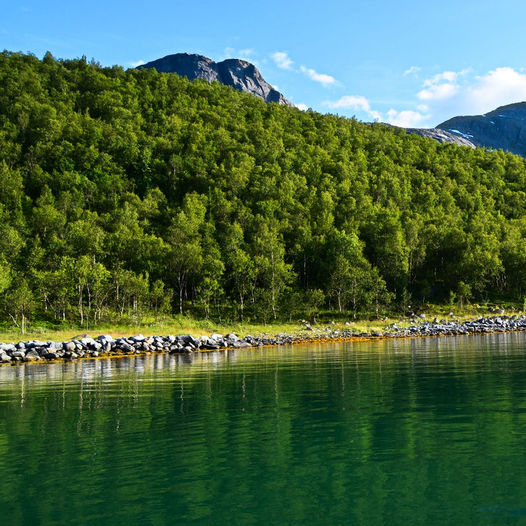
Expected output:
(187, 325)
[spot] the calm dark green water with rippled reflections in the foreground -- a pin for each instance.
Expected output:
(400, 432)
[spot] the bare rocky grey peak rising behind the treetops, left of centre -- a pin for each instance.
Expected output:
(234, 72)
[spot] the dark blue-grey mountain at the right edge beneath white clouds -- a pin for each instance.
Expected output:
(503, 128)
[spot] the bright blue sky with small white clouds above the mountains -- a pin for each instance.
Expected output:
(409, 63)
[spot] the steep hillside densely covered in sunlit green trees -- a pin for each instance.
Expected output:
(131, 191)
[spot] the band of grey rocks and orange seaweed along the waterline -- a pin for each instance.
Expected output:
(107, 346)
